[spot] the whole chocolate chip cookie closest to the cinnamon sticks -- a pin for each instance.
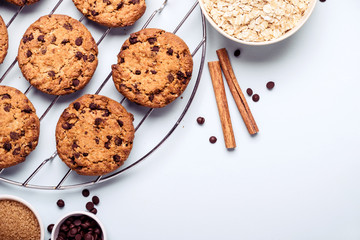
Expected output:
(154, 67)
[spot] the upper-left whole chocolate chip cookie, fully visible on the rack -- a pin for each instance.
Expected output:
(58, 55)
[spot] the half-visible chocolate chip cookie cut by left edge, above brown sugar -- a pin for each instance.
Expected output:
(20, 127)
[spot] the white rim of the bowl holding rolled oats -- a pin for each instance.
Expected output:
(286, 35)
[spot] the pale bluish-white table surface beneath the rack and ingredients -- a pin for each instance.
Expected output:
(297, 179)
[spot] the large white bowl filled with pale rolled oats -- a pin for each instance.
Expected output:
(257, 22)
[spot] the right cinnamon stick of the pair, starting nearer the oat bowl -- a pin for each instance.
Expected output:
(236, 91)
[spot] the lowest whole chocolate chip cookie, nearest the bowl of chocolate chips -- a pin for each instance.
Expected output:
(94, 135)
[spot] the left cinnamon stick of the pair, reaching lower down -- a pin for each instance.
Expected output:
(220, 95)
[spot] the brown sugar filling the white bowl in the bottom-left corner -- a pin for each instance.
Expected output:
(17, 221)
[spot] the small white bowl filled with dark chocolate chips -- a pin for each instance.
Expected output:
(78, 226)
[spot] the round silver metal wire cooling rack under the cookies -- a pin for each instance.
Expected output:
(99, 179)
